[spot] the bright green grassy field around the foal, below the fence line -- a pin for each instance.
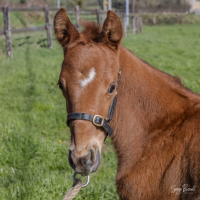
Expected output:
(34, 138)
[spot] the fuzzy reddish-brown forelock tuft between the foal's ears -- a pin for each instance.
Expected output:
(92, 31)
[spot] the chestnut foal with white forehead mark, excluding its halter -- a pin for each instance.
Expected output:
(156, 122)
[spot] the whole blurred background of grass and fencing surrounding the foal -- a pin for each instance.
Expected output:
(34, 138)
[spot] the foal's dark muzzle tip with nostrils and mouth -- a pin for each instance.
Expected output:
(86, 164)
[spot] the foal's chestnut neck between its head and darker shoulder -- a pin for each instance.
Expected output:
(150, 103)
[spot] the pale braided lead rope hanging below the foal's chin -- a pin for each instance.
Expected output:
(73, 191)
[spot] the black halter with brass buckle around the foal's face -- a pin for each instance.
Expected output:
(98, 120)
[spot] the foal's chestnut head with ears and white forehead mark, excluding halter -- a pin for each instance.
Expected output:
(88, 80)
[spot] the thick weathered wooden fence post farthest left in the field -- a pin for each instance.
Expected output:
(7, 31)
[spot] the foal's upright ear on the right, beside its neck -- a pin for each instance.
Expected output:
(112, 29)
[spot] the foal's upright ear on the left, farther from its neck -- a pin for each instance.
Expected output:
(64, 29)
